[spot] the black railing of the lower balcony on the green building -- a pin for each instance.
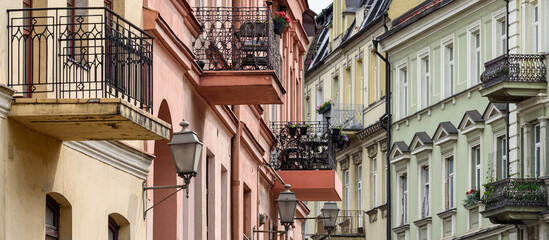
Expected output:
(515, 192)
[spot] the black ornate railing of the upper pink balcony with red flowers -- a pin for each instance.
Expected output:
(237, 38)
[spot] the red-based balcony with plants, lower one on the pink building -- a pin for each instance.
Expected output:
(305, 158)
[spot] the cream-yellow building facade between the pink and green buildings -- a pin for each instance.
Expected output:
(351, 75)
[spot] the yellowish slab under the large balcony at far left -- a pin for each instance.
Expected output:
(88, 119)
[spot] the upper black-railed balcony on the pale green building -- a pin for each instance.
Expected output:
(514, 77)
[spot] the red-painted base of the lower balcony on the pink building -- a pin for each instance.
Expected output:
(312, 185)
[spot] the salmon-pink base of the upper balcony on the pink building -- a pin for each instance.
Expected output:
(243, 87)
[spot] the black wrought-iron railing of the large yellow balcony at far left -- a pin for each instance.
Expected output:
(79, 53)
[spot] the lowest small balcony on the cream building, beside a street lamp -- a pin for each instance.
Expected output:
(349, 224)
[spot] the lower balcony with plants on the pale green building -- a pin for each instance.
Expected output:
(514, 200)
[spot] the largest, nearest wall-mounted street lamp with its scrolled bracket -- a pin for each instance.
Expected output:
(186, 152)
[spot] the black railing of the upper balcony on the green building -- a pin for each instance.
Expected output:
(514, 68)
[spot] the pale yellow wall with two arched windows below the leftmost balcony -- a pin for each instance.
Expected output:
(41, 165)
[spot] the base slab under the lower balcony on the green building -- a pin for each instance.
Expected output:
(513, 215)
